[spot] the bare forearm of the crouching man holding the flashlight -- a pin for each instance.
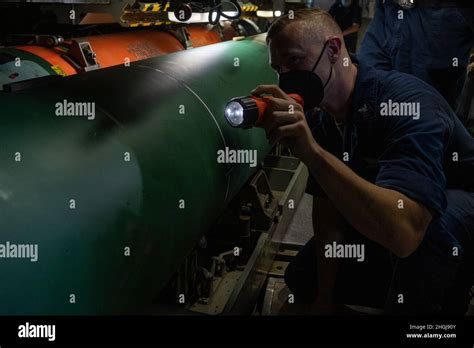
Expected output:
(372, 210)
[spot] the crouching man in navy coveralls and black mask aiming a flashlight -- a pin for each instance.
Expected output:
(392, 174)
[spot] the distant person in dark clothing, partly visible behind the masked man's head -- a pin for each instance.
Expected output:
(347, 13)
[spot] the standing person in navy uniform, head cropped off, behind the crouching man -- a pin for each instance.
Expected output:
(430, 39)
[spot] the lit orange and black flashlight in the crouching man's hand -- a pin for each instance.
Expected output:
(245, 112)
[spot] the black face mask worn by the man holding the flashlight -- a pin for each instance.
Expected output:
(305, 83)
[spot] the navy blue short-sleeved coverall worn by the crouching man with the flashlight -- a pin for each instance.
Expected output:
(429, 157)
